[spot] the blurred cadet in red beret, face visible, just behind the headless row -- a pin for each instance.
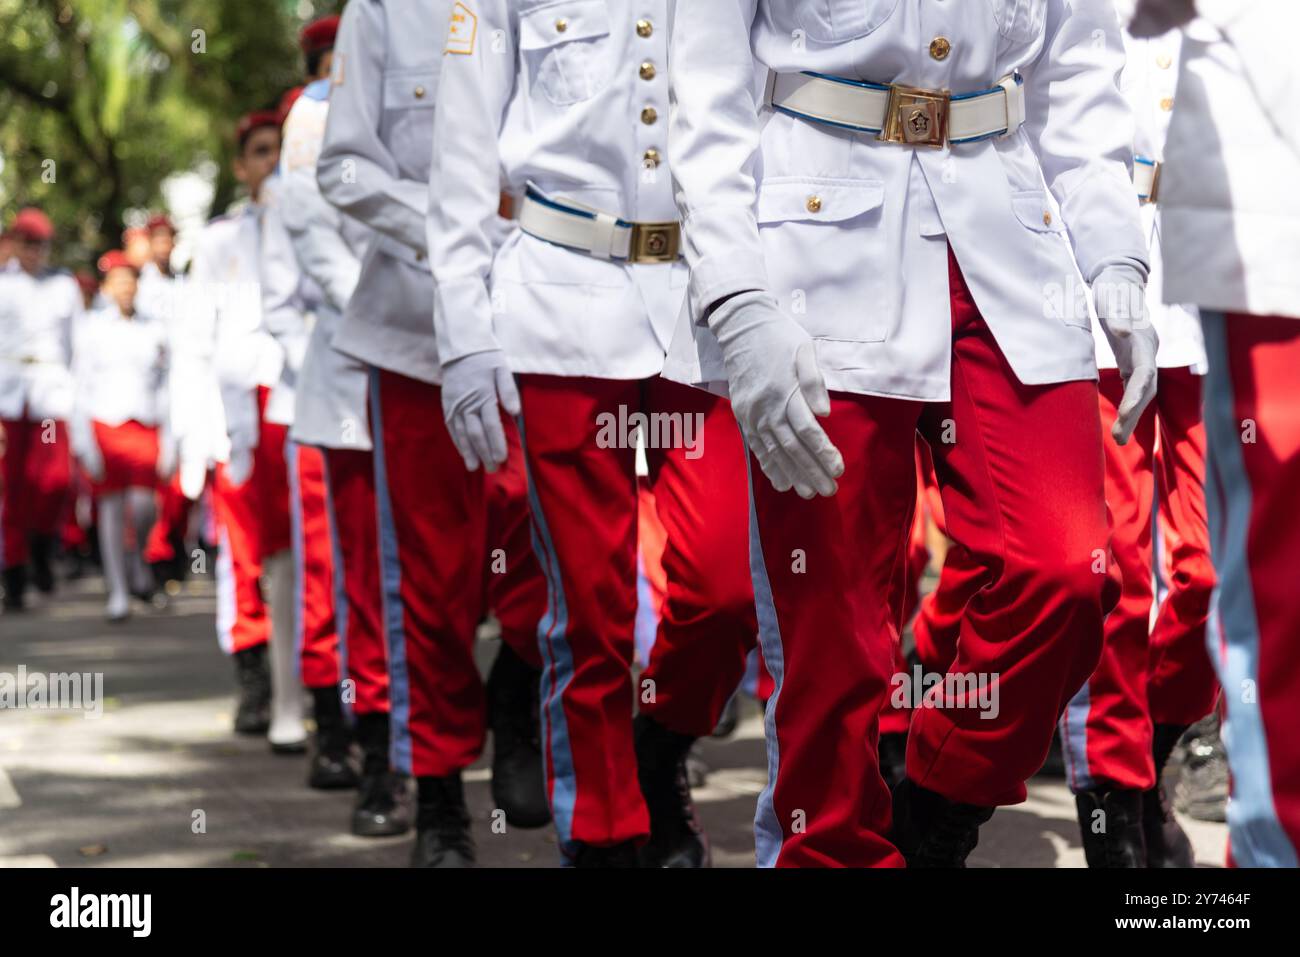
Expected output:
(239, 361)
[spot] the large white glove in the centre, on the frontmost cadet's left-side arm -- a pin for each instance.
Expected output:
(777, 393)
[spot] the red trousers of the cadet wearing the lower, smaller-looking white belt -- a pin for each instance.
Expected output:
(584, 497)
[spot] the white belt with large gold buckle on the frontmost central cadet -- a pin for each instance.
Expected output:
(903, 115)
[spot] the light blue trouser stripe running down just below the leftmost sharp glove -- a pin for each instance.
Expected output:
(557, 668)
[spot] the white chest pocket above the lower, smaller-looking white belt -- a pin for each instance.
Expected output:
(567, 51)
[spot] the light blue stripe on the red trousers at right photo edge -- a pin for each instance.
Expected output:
(1259, 839)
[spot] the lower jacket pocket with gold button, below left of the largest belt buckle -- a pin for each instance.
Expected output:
(825, 245)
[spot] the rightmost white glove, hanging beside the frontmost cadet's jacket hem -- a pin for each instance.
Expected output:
(1120, 293)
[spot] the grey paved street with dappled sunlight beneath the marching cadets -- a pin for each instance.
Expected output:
(131, 787)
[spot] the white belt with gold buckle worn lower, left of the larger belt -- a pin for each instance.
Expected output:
(597, 233)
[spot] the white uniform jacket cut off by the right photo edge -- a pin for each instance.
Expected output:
(1230, 209)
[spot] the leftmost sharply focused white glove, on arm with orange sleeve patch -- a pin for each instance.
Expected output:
(475, 389)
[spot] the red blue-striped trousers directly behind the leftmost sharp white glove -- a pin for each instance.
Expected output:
(434, 526)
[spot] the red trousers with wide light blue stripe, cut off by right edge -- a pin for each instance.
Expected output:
(1253, 418)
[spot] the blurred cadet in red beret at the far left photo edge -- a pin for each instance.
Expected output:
(38, 310)
